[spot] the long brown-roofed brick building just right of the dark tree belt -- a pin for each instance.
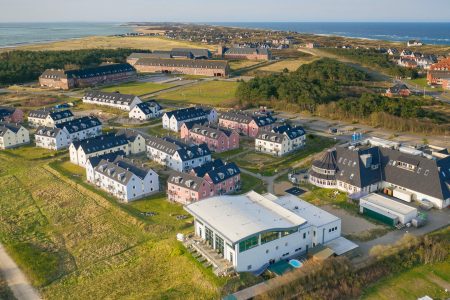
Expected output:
(212, 68)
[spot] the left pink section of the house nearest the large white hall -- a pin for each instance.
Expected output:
(186, 188)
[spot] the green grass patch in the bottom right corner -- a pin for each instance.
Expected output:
(412, 284)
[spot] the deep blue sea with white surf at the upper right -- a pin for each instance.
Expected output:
(429, 33)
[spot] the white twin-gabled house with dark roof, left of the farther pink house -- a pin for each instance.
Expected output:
(173, 120)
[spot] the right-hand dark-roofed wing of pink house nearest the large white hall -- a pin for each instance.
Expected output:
(225, 178)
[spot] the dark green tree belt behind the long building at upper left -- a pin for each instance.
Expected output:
(23, 66)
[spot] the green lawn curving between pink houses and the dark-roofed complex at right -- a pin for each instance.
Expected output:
(269, 165)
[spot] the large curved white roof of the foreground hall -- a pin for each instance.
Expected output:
(239, 217)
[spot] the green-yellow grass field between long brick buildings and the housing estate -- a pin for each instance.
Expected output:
(215, 93)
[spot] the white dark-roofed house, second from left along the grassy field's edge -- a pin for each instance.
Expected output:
(65, 133)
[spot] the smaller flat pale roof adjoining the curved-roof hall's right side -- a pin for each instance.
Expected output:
(313, 214)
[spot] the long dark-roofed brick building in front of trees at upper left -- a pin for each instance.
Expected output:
(69, 79)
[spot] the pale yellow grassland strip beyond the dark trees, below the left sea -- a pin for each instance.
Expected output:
(108, 42)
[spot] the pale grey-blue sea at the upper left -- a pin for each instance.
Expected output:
(15, 34)
